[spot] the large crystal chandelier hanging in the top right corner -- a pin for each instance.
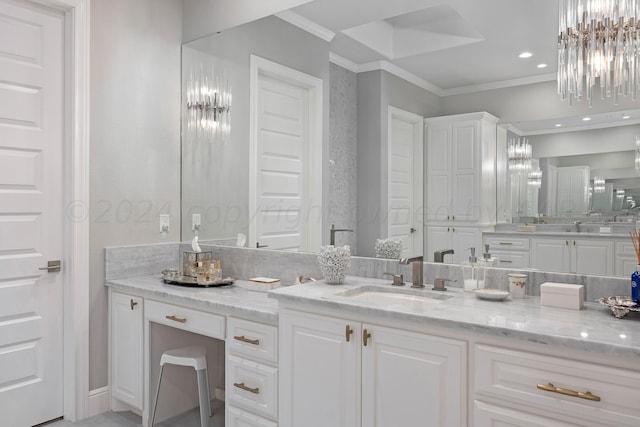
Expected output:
(598, 39)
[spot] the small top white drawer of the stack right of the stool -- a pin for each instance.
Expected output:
(252, 339)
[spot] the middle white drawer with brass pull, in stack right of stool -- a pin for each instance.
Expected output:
(251, 385)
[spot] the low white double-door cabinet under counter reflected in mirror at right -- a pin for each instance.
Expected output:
(581, 256)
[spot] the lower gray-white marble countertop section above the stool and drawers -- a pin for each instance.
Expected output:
(239, 300)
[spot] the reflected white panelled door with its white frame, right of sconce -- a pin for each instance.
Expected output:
(285, 182)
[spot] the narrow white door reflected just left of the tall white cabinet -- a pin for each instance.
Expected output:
(405, 176)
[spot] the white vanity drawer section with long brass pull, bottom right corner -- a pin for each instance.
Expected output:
(515, 387)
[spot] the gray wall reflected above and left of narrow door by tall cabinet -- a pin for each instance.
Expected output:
(377, 90)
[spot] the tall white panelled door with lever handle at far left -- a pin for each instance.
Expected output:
(31, 142)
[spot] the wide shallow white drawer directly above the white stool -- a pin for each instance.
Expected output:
(200, 322)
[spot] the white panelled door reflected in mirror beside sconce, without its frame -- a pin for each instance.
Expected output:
(282, 165)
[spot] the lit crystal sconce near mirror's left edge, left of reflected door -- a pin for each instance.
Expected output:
(208, 106)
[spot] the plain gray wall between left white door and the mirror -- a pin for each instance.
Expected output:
(135, 140)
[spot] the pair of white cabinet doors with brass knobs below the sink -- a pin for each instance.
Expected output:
(344, 373)
